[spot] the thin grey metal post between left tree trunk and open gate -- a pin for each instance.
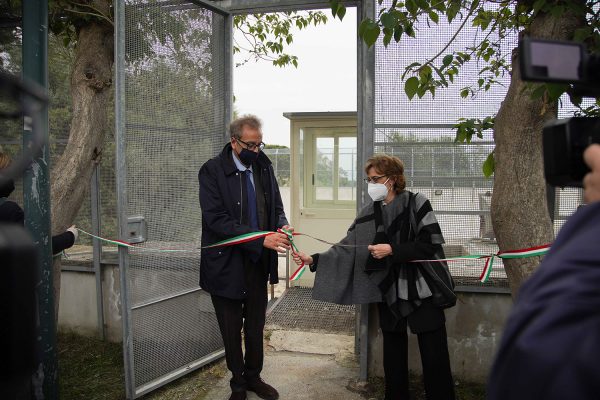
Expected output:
(97, 247)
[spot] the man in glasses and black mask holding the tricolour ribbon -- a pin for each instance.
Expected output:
(239, 195)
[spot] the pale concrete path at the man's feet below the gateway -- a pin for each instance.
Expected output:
(305, 366)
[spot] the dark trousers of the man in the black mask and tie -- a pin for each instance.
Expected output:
(248, 314)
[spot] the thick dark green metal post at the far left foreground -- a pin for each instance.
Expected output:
(36, 199)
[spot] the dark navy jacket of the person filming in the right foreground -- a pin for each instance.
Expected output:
(550, 348)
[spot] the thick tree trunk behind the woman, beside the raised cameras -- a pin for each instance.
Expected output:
(519, 207)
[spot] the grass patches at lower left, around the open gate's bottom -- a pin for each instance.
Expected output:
(93, 370)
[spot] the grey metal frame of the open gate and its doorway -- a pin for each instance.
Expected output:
(365, 123)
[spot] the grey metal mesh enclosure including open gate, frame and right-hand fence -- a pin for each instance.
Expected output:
(185, 47)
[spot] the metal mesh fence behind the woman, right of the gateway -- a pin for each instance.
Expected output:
(420, 133)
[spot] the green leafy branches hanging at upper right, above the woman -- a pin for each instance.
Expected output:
(495, 20)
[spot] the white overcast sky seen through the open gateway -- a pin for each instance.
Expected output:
(325, 79)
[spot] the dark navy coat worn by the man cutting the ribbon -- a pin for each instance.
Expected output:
(223, 203)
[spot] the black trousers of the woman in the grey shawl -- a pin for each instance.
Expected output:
(433, 346)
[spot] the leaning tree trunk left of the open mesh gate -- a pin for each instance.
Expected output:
(91, 83)
